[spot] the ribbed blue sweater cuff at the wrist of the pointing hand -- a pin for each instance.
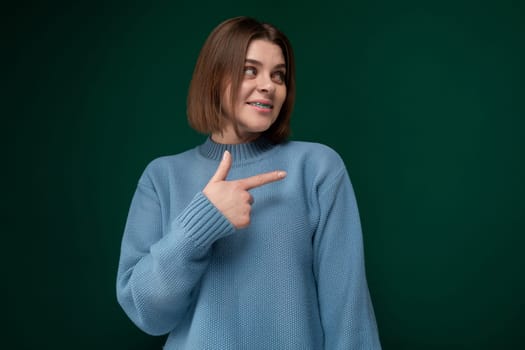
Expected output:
(203, 222)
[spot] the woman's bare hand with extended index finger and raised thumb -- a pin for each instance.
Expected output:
(232, 198)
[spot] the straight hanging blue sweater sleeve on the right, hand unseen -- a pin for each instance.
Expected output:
(345, 305)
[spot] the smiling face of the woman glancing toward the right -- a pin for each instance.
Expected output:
(260, 97)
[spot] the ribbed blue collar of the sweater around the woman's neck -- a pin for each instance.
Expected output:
(240, 152)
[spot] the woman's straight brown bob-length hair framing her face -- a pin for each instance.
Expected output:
(221, 60)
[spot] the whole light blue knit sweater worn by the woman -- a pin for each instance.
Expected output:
(294, 279)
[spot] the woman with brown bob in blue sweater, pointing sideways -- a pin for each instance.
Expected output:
(247, 241)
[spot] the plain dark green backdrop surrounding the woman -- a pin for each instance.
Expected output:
(424, 100)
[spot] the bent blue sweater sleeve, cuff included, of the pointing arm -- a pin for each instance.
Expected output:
(158, 271)
